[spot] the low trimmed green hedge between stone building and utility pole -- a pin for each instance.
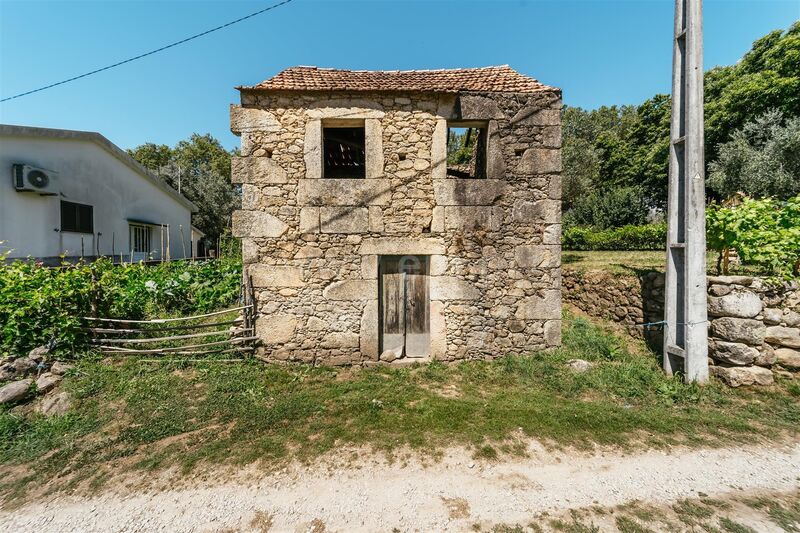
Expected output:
(647, 237)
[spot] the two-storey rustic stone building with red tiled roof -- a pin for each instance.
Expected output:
(401, 215)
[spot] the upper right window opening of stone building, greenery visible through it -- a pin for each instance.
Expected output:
(467, 143)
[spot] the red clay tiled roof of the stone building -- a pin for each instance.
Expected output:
(485, 79)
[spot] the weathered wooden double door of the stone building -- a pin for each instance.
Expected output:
(405, 305)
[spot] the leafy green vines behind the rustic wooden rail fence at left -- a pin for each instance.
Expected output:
(39, 304)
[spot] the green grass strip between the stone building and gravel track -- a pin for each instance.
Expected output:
(134, 415)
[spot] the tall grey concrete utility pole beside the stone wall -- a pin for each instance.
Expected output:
(685, 310)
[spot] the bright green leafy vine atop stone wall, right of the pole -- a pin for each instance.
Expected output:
(765, 233)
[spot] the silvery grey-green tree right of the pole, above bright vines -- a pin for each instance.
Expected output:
(762, 159)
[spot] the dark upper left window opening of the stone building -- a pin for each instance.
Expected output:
(344, 151)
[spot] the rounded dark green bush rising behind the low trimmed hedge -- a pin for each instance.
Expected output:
(609, 208)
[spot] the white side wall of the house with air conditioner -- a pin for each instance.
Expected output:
(88, 174)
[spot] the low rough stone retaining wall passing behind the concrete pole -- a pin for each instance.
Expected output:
(753, 325)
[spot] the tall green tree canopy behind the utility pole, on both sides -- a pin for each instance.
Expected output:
(628, 146)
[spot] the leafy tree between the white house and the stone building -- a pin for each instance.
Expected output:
(201, 169)
